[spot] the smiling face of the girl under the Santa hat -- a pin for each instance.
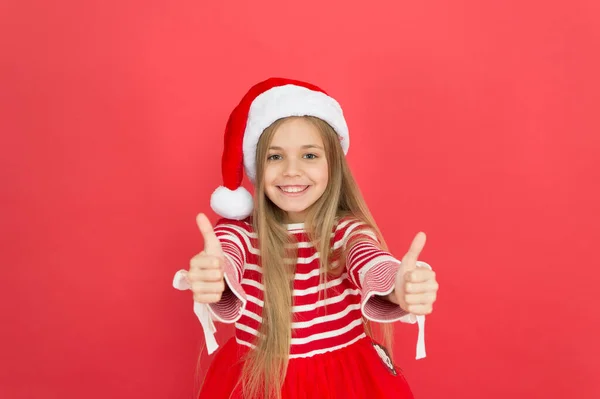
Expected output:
(296, 171)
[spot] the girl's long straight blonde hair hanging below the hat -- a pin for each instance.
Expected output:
(265, 367)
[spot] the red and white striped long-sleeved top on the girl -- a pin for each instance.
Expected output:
(318, 325)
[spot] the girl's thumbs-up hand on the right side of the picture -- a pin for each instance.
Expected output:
(416, 287)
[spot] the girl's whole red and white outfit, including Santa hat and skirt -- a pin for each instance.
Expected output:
(330, 354)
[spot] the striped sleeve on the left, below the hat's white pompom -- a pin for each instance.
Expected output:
(234, 238)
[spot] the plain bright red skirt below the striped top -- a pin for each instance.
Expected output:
(357, 371)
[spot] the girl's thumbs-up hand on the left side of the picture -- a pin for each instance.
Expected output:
(206, 269)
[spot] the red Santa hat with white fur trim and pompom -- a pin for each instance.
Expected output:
(266, 102)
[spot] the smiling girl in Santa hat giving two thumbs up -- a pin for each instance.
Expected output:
(304, 272)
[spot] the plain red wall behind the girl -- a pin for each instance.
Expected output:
(476, 122)
